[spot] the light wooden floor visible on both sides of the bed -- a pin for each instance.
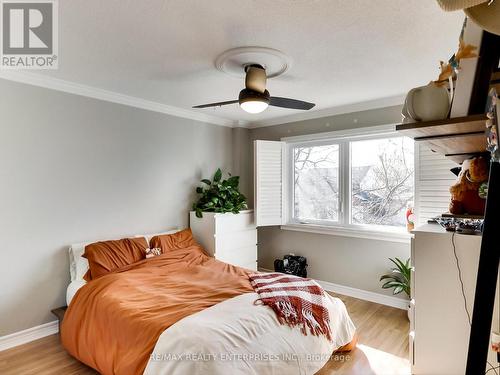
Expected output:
(382, 348)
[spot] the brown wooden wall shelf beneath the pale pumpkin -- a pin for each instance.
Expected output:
(456, 138)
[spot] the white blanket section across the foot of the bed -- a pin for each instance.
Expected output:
(238, 337)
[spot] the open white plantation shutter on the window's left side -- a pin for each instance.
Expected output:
(269, 162)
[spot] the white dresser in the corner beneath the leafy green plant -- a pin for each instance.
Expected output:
(230, 238)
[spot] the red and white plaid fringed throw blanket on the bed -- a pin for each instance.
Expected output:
(295, 300)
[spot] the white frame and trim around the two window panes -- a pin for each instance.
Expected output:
(344, 226)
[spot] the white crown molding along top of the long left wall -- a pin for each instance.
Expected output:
(110, 96)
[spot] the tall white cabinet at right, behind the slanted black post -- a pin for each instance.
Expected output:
(439, 324)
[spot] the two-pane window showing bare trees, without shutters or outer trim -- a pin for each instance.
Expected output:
(354, 181)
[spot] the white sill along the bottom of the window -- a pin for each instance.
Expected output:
(382, 235)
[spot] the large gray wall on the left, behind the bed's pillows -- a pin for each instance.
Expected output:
(74, 169)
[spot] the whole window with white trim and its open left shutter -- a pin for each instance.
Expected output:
(353, 183)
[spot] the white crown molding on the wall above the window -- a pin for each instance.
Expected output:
(348, 108)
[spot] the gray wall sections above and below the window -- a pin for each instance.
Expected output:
(348, 261)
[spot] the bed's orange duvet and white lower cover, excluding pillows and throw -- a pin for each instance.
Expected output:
(184, 312)
